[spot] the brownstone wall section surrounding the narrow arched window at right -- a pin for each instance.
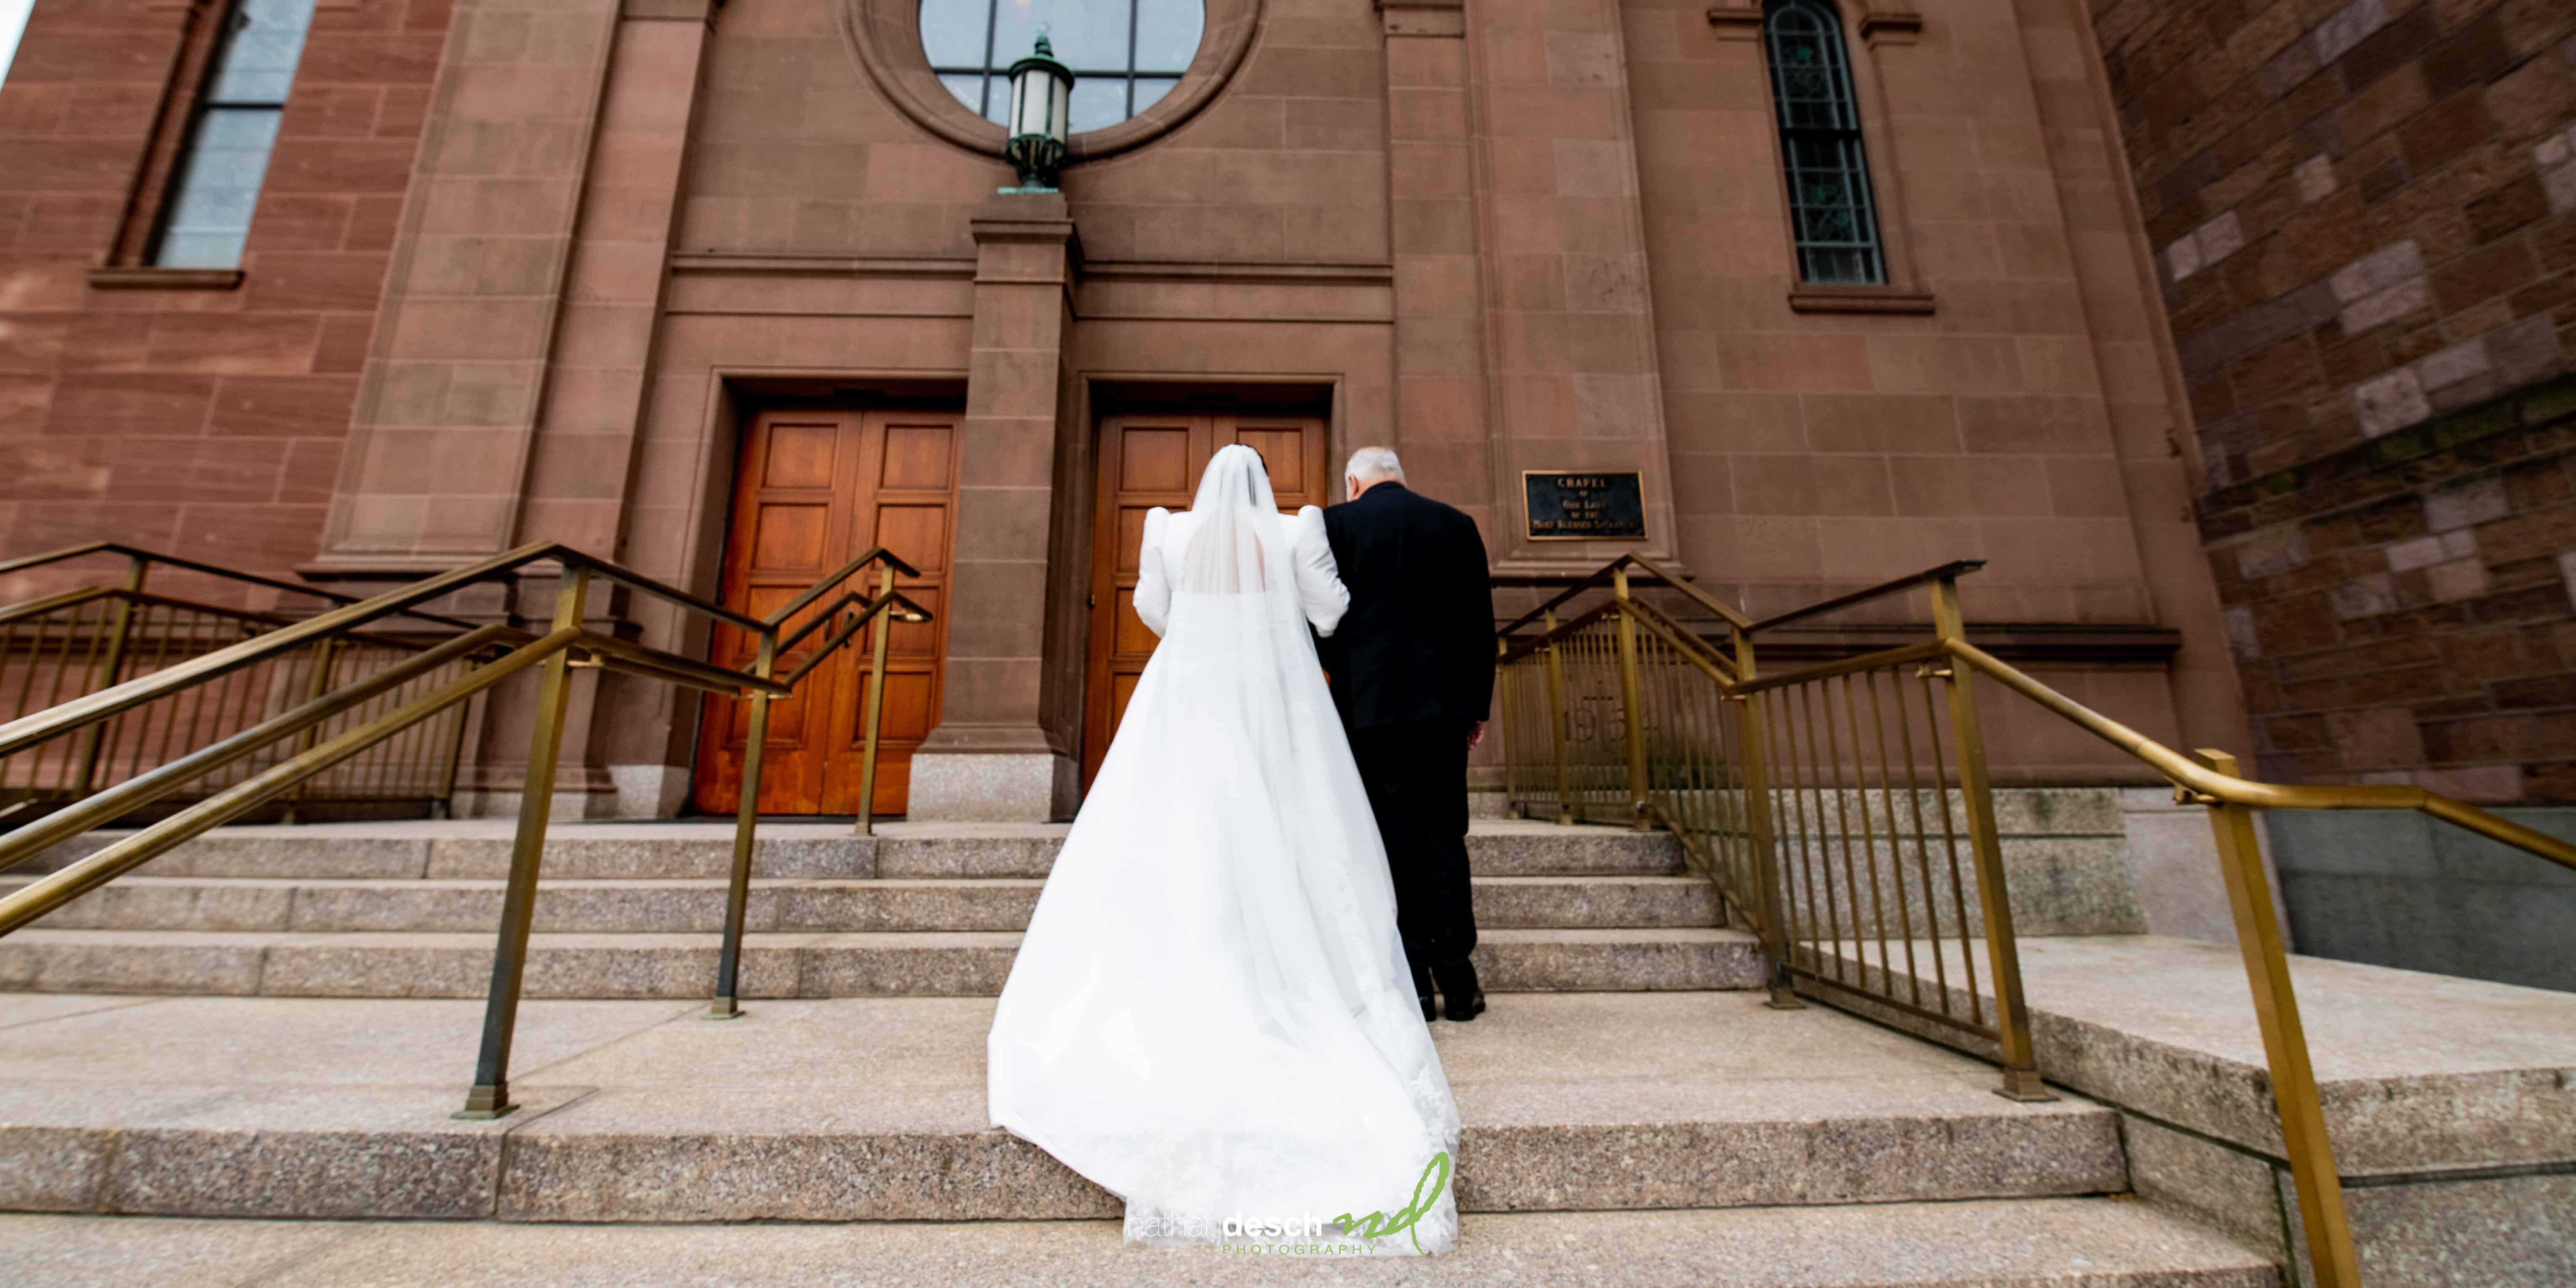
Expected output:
(2018, 408)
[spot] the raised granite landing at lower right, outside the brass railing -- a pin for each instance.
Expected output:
(2451, 1101)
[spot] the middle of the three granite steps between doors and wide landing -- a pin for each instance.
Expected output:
(823, 905)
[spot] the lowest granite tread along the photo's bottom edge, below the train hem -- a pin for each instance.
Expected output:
(1910, 1245)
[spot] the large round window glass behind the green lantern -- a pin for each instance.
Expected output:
(1124, 53)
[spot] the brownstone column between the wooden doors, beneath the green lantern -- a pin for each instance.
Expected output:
(1003, 748)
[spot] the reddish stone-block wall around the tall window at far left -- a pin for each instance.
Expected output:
(192, 421)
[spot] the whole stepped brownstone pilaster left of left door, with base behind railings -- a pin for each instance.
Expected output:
(504, 383)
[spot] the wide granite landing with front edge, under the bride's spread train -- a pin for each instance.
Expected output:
(875, 1109)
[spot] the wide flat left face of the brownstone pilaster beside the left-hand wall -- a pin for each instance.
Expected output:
(447, 413)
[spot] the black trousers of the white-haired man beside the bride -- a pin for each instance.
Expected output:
(1416, 779)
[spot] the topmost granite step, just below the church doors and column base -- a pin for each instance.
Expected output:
(681, 851)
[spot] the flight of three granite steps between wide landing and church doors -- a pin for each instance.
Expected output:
(632, 911)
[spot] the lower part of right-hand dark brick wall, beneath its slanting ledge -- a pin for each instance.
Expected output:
(2402, 609)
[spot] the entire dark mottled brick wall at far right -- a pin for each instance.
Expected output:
(2366, 231)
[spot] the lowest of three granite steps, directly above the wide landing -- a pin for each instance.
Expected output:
(774, 965)
